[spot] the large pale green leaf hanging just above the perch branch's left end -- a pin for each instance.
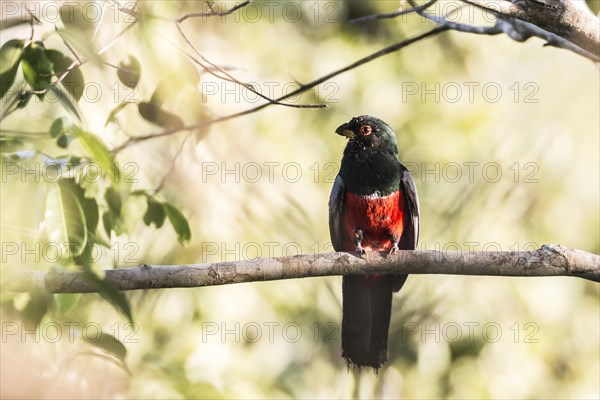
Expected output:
(65, 218)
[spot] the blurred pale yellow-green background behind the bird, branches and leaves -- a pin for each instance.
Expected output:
(502, 139)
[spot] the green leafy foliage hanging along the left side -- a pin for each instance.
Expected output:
(82, 167)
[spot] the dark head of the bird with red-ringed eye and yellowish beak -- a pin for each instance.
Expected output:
(368, 133)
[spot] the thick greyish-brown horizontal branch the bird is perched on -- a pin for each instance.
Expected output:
(549, 260)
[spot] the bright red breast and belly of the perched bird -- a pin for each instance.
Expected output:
(379, 217)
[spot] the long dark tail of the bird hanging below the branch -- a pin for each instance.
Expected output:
(367, 306)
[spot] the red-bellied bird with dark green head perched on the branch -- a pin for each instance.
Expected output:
(373, 206)
